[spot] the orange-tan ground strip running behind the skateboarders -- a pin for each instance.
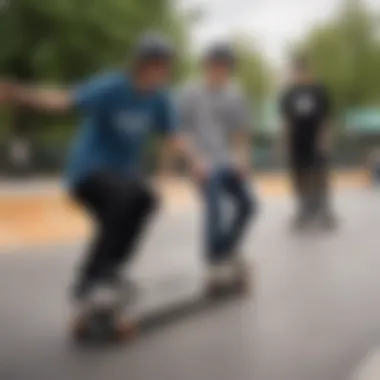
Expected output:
(48, 217)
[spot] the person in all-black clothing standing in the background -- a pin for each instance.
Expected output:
(305, 109)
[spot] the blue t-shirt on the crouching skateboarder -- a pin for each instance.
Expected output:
(118, 119)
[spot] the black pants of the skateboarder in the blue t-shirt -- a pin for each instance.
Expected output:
(121, 208)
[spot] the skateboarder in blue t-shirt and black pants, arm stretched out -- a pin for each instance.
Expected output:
(104, 173)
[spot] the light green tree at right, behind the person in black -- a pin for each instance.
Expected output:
(345, 53)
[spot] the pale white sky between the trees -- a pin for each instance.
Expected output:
(270, 24)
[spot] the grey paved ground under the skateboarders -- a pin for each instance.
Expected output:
(313, 315)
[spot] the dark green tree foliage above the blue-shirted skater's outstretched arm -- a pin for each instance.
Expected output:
(63, 40)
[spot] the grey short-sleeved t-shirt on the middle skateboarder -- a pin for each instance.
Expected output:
(209, 117)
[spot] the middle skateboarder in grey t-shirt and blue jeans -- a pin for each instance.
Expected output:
(215, 117)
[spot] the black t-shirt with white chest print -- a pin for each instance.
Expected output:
(305, 107)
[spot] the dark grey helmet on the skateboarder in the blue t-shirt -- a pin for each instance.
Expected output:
(153, 46)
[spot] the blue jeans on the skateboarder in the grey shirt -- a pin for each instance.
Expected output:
(222, 237)
